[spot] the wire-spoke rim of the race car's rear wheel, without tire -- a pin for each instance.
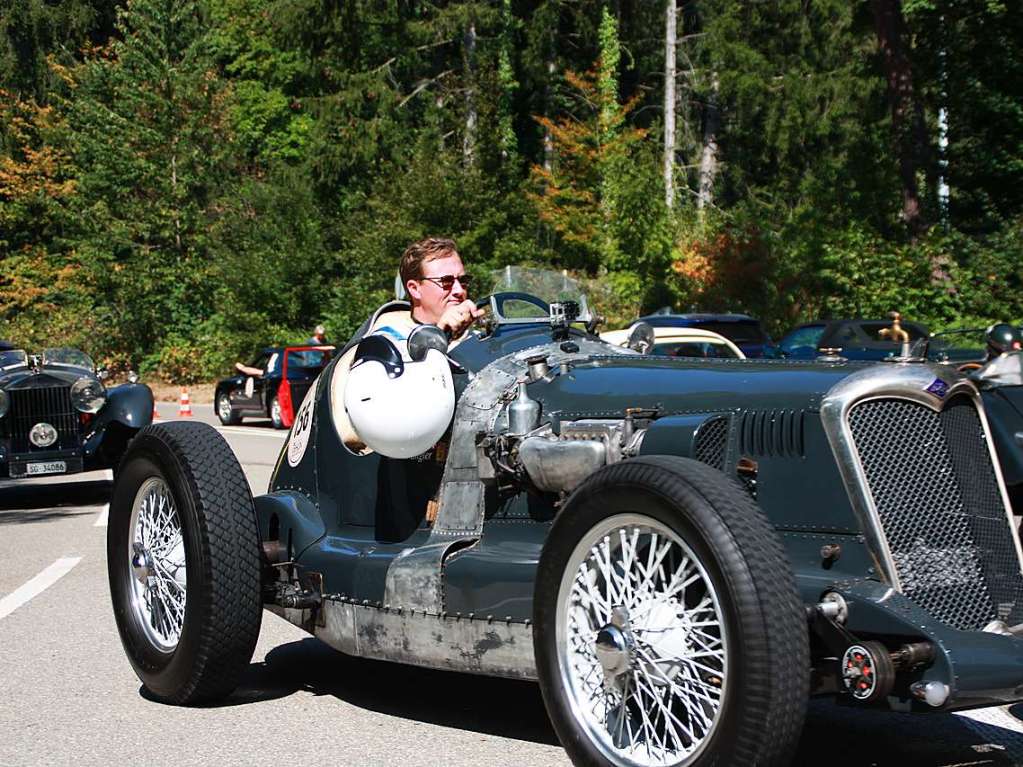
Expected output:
(157, 560)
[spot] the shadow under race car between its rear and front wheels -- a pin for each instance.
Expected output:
(485, 705)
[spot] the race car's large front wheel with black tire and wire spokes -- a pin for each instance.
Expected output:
(669, 630)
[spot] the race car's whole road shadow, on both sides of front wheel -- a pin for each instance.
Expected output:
(834, 736)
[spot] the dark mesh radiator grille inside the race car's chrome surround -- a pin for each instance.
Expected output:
(938, 498)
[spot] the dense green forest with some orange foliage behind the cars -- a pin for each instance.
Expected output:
(185, 182)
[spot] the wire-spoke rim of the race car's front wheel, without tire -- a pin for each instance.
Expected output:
(643, 643)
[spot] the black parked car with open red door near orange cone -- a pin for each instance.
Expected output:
(288, 374)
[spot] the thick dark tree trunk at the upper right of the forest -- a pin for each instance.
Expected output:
(907, 118)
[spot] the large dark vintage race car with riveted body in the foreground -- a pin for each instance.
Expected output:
(680, 552)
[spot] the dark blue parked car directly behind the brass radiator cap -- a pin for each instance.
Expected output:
(855, 339)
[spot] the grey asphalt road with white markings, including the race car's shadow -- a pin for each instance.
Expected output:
(68, 695)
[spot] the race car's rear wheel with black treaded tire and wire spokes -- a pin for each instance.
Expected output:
(221, 553)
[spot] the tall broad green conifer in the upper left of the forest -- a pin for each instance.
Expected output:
(151, 145)
